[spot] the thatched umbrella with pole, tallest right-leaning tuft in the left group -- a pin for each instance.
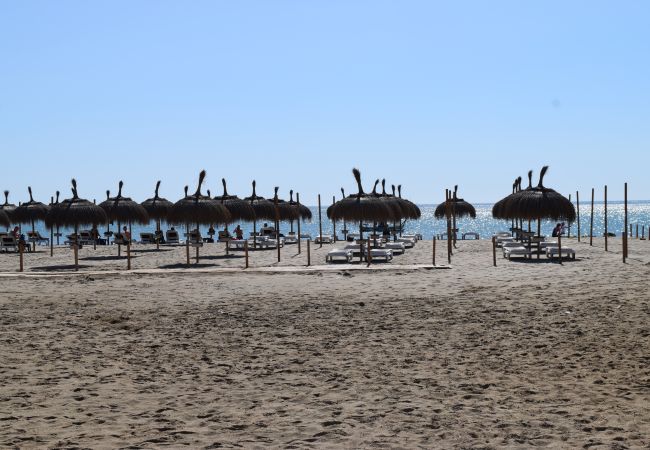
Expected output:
(200, 210)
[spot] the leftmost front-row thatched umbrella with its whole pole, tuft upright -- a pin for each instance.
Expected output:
(73, 212)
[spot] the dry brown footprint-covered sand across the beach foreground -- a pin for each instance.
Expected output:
(524, 354)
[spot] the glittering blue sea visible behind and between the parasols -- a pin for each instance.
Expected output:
(428, 226)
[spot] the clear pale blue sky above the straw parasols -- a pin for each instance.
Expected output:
(296, 93)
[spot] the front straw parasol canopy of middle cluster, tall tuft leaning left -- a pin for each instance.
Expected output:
(360, 206)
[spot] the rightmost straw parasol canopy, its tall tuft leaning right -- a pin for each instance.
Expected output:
(539, 202)
